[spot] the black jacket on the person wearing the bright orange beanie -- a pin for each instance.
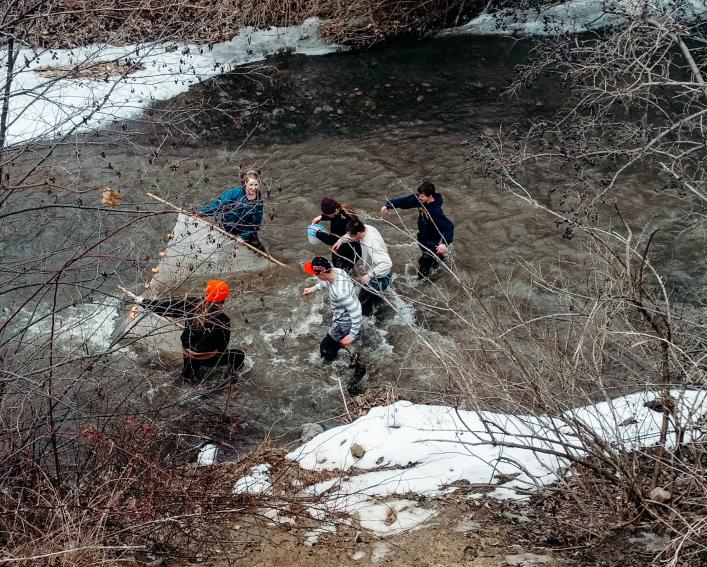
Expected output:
(204, 331)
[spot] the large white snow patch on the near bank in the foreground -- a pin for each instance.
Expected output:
(410, 449)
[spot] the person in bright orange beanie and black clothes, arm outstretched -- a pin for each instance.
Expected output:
(207, 329)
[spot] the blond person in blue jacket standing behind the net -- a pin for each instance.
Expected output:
(239, 210)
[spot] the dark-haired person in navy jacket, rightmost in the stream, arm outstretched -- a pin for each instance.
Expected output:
(435, 231)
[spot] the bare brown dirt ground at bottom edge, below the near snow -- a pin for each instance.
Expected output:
(465, 531)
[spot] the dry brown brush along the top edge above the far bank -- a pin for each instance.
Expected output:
(77, 22)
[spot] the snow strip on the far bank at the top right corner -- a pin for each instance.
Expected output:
(578, 16)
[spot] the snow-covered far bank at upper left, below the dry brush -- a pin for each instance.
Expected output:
(42, 106)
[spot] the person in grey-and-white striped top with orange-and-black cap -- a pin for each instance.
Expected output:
(346, 322)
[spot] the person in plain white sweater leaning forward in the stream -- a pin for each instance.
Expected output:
(376, 261)
